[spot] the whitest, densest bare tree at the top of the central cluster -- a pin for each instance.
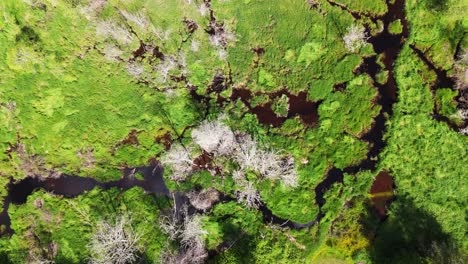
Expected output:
(214, 137)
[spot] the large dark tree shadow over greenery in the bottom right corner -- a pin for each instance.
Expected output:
(412, 235)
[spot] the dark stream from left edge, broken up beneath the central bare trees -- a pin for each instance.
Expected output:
(71, 186)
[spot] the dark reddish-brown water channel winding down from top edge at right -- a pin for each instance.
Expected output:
(389, 46)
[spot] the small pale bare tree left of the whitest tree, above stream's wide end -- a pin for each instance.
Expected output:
(178, 158)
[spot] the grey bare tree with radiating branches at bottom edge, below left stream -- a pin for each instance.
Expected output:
(114, 243)
